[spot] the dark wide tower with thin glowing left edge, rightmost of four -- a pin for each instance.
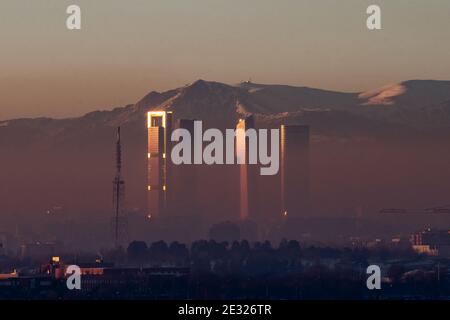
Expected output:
(295, 170)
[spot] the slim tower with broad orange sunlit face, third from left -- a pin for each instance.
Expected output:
(248, 173)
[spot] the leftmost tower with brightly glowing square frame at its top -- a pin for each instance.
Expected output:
(159, 124)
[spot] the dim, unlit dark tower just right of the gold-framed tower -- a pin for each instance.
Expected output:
(183, 193)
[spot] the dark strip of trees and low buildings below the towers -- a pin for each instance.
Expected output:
(217, 270)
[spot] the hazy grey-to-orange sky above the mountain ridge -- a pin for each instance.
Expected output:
(127, 48)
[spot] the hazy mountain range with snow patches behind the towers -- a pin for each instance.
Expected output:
(415, 106)
